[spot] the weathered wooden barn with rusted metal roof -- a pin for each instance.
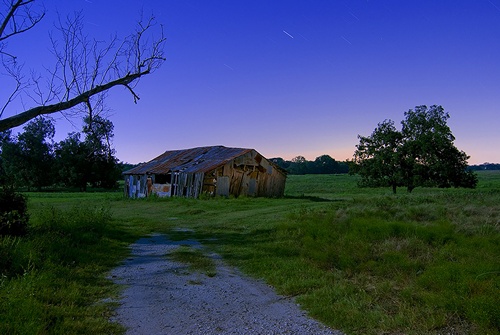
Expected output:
(215, 170)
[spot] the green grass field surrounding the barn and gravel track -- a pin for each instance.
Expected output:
(361, 260)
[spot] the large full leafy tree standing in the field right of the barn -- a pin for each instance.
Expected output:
(421, 154)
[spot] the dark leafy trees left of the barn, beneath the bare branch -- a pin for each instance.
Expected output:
(33, 160)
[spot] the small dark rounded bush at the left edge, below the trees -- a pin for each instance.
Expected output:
(13, 213)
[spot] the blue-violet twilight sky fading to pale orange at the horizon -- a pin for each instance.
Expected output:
(291, 78)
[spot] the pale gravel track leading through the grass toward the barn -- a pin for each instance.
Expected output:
(161, 296)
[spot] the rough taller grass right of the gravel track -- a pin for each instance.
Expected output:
(404, 264)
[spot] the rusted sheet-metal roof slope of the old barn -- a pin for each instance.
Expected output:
(202, 159)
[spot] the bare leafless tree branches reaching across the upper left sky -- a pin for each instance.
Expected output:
(84, 69)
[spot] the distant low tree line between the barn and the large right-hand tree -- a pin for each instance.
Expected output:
(321, 165)
